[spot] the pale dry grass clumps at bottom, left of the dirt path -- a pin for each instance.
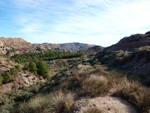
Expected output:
(56, 102)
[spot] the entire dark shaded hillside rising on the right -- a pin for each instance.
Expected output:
(131, 54)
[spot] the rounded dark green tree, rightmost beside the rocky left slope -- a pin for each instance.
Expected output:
(42, 69)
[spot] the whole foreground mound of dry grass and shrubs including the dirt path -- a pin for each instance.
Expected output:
(85, 89)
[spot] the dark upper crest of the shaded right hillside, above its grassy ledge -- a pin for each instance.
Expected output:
(132, 42)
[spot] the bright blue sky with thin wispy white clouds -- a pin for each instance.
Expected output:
(100, 22)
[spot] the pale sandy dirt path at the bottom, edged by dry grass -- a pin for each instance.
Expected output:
(105, 105)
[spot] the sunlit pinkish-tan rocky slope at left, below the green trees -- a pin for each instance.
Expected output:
(19, 78)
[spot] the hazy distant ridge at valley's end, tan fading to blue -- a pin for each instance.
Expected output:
(68, 46)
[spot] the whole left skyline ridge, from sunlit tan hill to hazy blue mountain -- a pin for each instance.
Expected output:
(13, 46)
